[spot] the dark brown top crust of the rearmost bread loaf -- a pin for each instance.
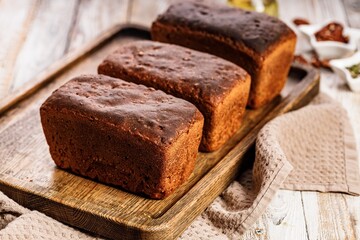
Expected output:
(257, 31)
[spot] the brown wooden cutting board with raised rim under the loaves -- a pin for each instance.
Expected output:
(29, 176)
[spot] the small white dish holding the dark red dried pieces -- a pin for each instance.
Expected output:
(331, 49)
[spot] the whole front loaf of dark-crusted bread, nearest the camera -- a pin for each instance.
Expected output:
(124, 134)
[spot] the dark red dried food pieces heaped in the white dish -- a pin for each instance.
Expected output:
(332, 32)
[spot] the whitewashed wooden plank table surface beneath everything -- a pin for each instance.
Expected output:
(36, 33)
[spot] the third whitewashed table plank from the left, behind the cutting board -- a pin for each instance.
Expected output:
(95, 16)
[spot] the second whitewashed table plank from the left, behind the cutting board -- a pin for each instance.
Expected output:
(45, 41)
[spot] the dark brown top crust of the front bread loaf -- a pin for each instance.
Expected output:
(141, 111)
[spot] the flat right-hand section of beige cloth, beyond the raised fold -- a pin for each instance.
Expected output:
(322, 148)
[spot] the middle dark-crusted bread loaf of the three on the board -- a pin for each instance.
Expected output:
(218, 88)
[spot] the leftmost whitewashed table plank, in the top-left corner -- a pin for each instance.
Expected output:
(15, 18)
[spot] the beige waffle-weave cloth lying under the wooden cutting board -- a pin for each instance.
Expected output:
(309, 149)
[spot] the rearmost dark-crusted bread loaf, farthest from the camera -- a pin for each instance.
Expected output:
(260, 44)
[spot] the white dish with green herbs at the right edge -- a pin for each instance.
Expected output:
(339, 67)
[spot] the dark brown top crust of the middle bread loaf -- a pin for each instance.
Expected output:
(195, 76)
